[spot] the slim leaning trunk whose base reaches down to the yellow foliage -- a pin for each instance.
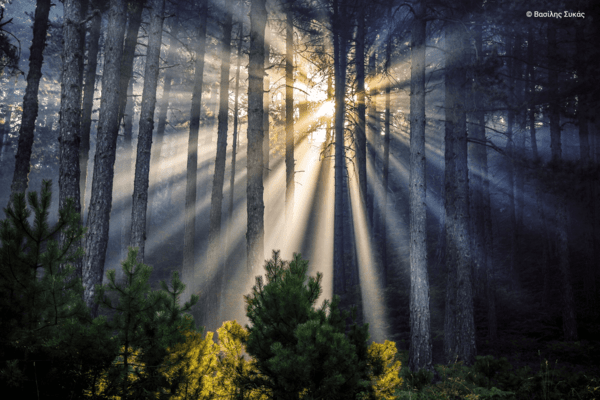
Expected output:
(216, 205)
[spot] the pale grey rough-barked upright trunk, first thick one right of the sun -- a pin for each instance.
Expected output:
(420, 353)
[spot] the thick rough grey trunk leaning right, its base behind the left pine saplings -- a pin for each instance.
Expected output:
(106, 146)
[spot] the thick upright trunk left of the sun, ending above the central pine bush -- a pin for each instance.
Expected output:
(255, 204)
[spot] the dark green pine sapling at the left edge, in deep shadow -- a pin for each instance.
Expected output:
(47, 339)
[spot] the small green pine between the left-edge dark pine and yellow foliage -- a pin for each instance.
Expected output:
(146, 324)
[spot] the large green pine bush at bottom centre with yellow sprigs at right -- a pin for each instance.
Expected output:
(301, 350)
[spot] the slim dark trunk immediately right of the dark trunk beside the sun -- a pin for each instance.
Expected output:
(361, 139)
